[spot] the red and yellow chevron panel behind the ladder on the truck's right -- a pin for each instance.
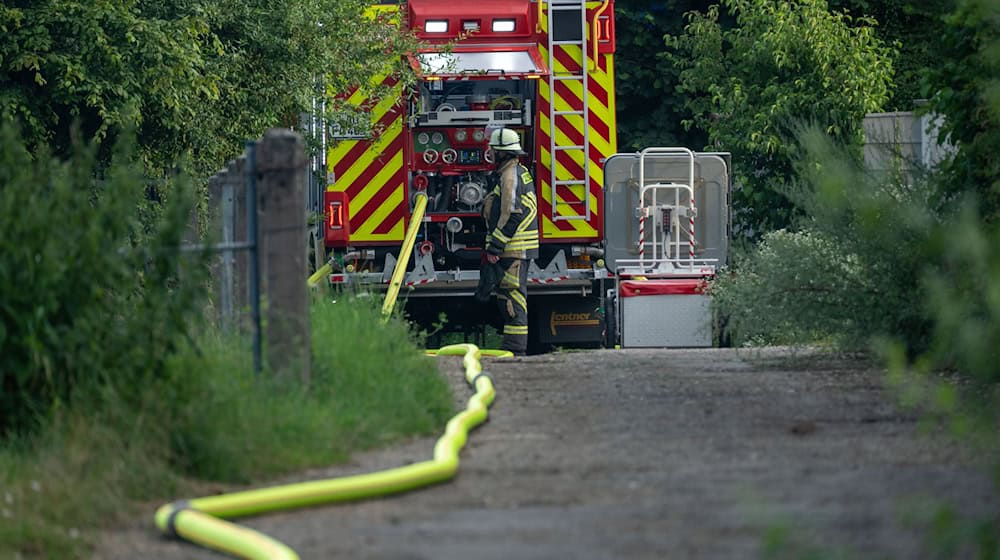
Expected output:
(568, 200)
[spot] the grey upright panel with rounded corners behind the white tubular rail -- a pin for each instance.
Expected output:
(621, 199)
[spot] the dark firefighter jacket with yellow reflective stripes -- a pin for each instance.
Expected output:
(511, 213)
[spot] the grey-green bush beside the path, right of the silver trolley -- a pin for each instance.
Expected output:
(852, 269)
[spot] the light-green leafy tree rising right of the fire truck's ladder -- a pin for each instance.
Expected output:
(783, 63)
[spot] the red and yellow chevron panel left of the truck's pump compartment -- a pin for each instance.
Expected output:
(372, 174)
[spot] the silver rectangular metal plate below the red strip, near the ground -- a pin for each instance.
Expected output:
(674, 321)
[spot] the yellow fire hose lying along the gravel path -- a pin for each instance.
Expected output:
(200, 520)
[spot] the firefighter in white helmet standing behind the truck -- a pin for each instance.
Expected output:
(511, 214)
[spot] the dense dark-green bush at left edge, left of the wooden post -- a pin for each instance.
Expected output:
(92, 295)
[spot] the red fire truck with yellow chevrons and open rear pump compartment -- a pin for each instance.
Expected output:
(542, 68)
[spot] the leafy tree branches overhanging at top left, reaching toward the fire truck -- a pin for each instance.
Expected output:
(194, 77)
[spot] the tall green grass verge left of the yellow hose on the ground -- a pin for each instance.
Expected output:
(209, 418)
